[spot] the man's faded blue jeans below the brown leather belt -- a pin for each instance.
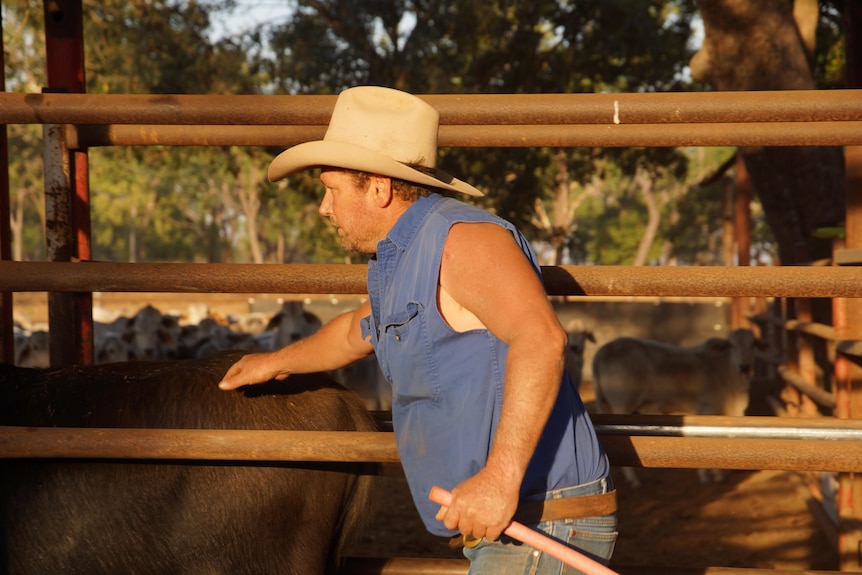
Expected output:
(593, 536)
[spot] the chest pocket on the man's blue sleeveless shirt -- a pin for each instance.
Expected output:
(406, 355)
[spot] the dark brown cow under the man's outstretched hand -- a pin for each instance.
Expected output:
(79, 516)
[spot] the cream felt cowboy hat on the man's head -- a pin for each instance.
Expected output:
(379, 131)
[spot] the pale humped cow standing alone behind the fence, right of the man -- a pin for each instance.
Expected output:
(634, 375)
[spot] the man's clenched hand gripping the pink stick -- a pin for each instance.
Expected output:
(481, 506)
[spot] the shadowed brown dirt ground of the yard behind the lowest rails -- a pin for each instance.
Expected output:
(762, 519)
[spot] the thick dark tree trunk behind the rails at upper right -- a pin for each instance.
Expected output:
(758, 46)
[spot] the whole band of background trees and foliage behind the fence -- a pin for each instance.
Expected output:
(597, 206)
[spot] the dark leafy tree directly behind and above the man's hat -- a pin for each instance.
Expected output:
(491, 47)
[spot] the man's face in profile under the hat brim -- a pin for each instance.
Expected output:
(350, 209)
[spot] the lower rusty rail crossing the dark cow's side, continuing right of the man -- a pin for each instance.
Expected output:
(671, 443)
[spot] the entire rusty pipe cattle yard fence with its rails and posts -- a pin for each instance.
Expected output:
(815, 438)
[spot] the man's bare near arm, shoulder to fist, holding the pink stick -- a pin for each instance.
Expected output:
(485, 271)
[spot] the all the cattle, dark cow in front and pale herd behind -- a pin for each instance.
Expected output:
(80, 516)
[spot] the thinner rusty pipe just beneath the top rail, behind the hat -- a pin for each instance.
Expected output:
(501, 136)
